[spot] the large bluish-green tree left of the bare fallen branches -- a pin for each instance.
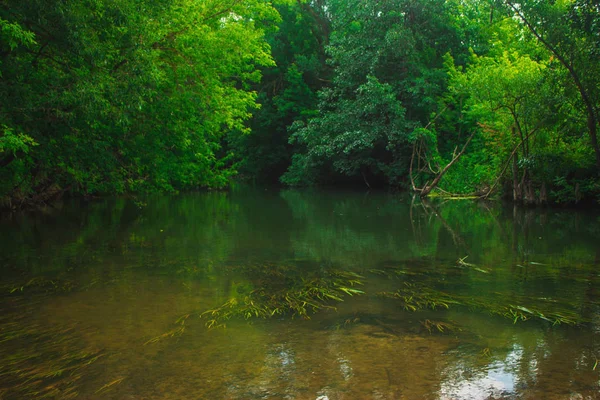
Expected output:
(388, 74)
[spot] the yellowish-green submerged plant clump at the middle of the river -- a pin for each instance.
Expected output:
(296, 297)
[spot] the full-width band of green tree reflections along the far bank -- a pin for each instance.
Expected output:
(196, 232)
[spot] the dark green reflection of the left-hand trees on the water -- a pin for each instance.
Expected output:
(106, 237)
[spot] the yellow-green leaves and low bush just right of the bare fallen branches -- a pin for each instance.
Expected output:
(501, 95)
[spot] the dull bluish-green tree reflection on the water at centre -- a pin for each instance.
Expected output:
(347, 229)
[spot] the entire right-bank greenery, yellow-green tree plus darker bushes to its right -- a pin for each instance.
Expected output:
(526, 118)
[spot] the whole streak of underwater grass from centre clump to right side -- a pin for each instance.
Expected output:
(262, 290)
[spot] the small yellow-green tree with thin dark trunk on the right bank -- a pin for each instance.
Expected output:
(503, 96)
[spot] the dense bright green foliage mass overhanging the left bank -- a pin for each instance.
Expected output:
(132, 95)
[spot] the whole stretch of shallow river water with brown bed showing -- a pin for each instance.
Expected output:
(451, 300)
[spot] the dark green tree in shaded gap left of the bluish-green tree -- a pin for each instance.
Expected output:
(287, 91)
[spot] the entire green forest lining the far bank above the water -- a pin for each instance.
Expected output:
(461, 98)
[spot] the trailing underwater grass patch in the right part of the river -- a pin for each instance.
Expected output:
(419, 283)
